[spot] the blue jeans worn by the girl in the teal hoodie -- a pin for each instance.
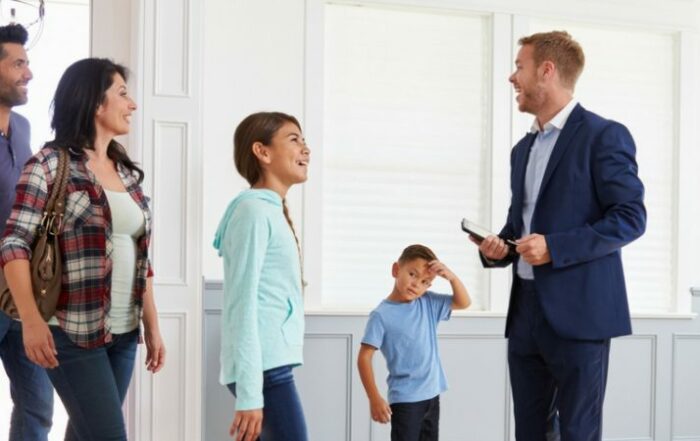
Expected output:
(283, 417)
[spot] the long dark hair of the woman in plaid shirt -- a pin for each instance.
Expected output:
(79, 93)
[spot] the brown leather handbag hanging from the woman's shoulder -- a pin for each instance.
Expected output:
(46, 266)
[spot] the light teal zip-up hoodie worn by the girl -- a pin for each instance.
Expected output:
(262, 322)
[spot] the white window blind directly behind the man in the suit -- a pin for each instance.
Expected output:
(631, 77)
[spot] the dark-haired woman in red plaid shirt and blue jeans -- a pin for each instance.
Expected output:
(89, 346)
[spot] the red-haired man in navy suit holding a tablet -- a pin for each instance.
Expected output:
(576, 201)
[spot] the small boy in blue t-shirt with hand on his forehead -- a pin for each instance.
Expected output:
(404, 328)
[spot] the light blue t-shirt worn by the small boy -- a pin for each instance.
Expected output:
(406, 334)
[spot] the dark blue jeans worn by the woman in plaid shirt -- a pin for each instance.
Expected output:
(92, 384)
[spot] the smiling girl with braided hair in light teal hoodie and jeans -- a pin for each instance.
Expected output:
(262, 323)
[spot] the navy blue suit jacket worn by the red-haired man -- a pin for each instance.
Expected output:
(590, 205)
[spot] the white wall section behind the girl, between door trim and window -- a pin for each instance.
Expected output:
(253, 61)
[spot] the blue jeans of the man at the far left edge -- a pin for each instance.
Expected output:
(30, 388)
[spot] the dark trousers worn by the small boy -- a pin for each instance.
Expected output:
(419, 421)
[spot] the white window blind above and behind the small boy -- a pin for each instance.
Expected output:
(405, 148)
